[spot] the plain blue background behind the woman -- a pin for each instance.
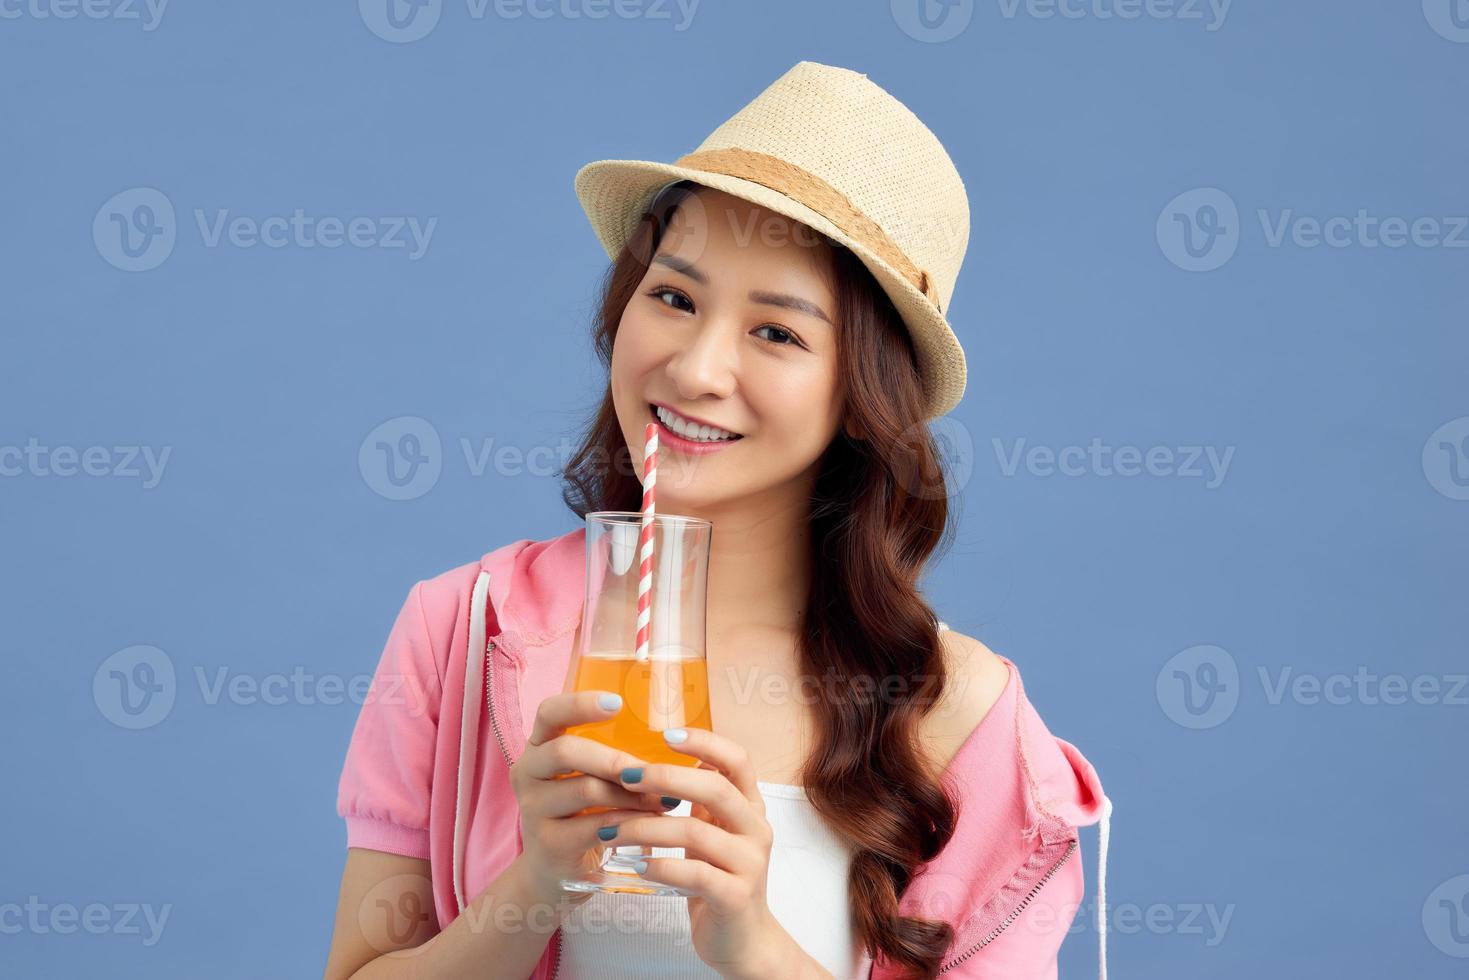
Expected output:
(1332, 543)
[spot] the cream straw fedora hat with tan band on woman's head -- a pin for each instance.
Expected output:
(828, 148)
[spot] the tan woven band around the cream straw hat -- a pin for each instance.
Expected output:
(807, 189)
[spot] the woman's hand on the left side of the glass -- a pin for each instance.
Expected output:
(560, 841)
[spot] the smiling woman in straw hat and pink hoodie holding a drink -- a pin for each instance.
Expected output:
(776, 303)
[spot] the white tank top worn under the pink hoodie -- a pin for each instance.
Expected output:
(647, 937)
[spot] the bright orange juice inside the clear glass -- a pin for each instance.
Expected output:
(659, 693)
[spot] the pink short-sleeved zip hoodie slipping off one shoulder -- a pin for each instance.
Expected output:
(491, 640)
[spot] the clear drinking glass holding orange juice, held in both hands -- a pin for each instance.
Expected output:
(669, 687)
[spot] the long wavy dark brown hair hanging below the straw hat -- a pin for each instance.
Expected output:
(878, 515)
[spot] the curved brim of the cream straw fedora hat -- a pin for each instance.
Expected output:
(615, 195)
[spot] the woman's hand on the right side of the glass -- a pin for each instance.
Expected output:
(726, 851)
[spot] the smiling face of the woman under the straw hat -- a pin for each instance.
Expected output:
(735, 325)
